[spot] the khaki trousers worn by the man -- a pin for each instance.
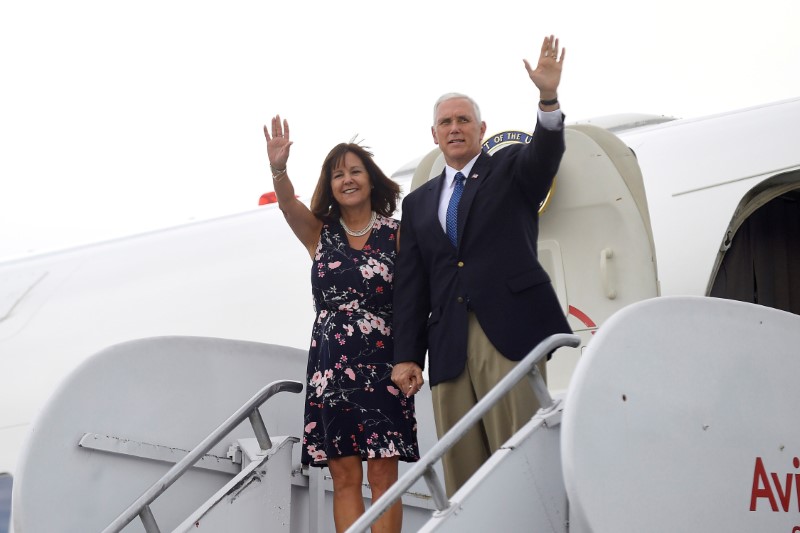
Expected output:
(453, 399)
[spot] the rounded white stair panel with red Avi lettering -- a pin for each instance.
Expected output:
(682, 416)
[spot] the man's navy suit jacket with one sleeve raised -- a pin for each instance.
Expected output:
(494, 271)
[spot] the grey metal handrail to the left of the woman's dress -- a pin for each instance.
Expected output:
(141, 507)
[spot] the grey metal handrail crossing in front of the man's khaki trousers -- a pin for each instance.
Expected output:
(424, 467)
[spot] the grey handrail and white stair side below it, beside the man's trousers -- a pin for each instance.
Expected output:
(520, 488)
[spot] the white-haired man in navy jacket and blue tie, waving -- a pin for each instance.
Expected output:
(469, 286)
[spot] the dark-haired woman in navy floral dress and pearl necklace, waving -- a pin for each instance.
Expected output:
(353, 412)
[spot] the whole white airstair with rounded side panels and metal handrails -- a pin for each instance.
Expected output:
(678, 418)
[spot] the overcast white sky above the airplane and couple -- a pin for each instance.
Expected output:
(120, 117)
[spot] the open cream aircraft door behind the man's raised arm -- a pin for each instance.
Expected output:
(595, 238)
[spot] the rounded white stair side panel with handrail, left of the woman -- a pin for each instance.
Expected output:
(119, 437)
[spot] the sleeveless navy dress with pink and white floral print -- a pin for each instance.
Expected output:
(352, 406)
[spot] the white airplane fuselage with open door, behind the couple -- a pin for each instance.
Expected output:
(246, 276)
